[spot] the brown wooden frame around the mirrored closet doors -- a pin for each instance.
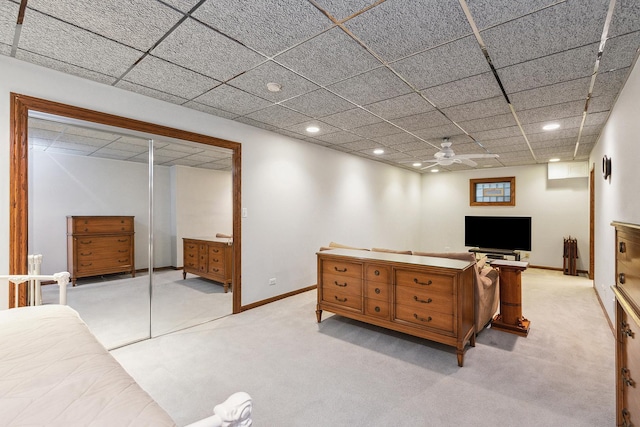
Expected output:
(19, 185)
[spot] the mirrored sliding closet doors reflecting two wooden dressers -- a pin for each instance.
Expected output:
(116, 208)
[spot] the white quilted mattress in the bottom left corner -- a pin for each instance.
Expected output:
(54, 372)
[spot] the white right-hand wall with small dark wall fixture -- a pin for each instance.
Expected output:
(617, 199)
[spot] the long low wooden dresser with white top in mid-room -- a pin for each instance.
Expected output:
(427, 297)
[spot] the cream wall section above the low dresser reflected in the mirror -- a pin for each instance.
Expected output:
(203, 205)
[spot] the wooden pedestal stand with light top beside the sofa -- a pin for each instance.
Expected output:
(510, 318)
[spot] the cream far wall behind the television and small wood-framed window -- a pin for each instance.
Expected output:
(558, 209)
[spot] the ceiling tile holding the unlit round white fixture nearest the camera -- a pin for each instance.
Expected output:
(255, 82)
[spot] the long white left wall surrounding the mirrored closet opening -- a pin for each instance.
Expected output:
(299, 196)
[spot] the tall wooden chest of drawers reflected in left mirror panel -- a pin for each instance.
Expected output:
(99, 245)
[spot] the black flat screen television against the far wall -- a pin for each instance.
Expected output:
(498, 232)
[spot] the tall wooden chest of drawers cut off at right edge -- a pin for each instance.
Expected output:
(627, 291)
